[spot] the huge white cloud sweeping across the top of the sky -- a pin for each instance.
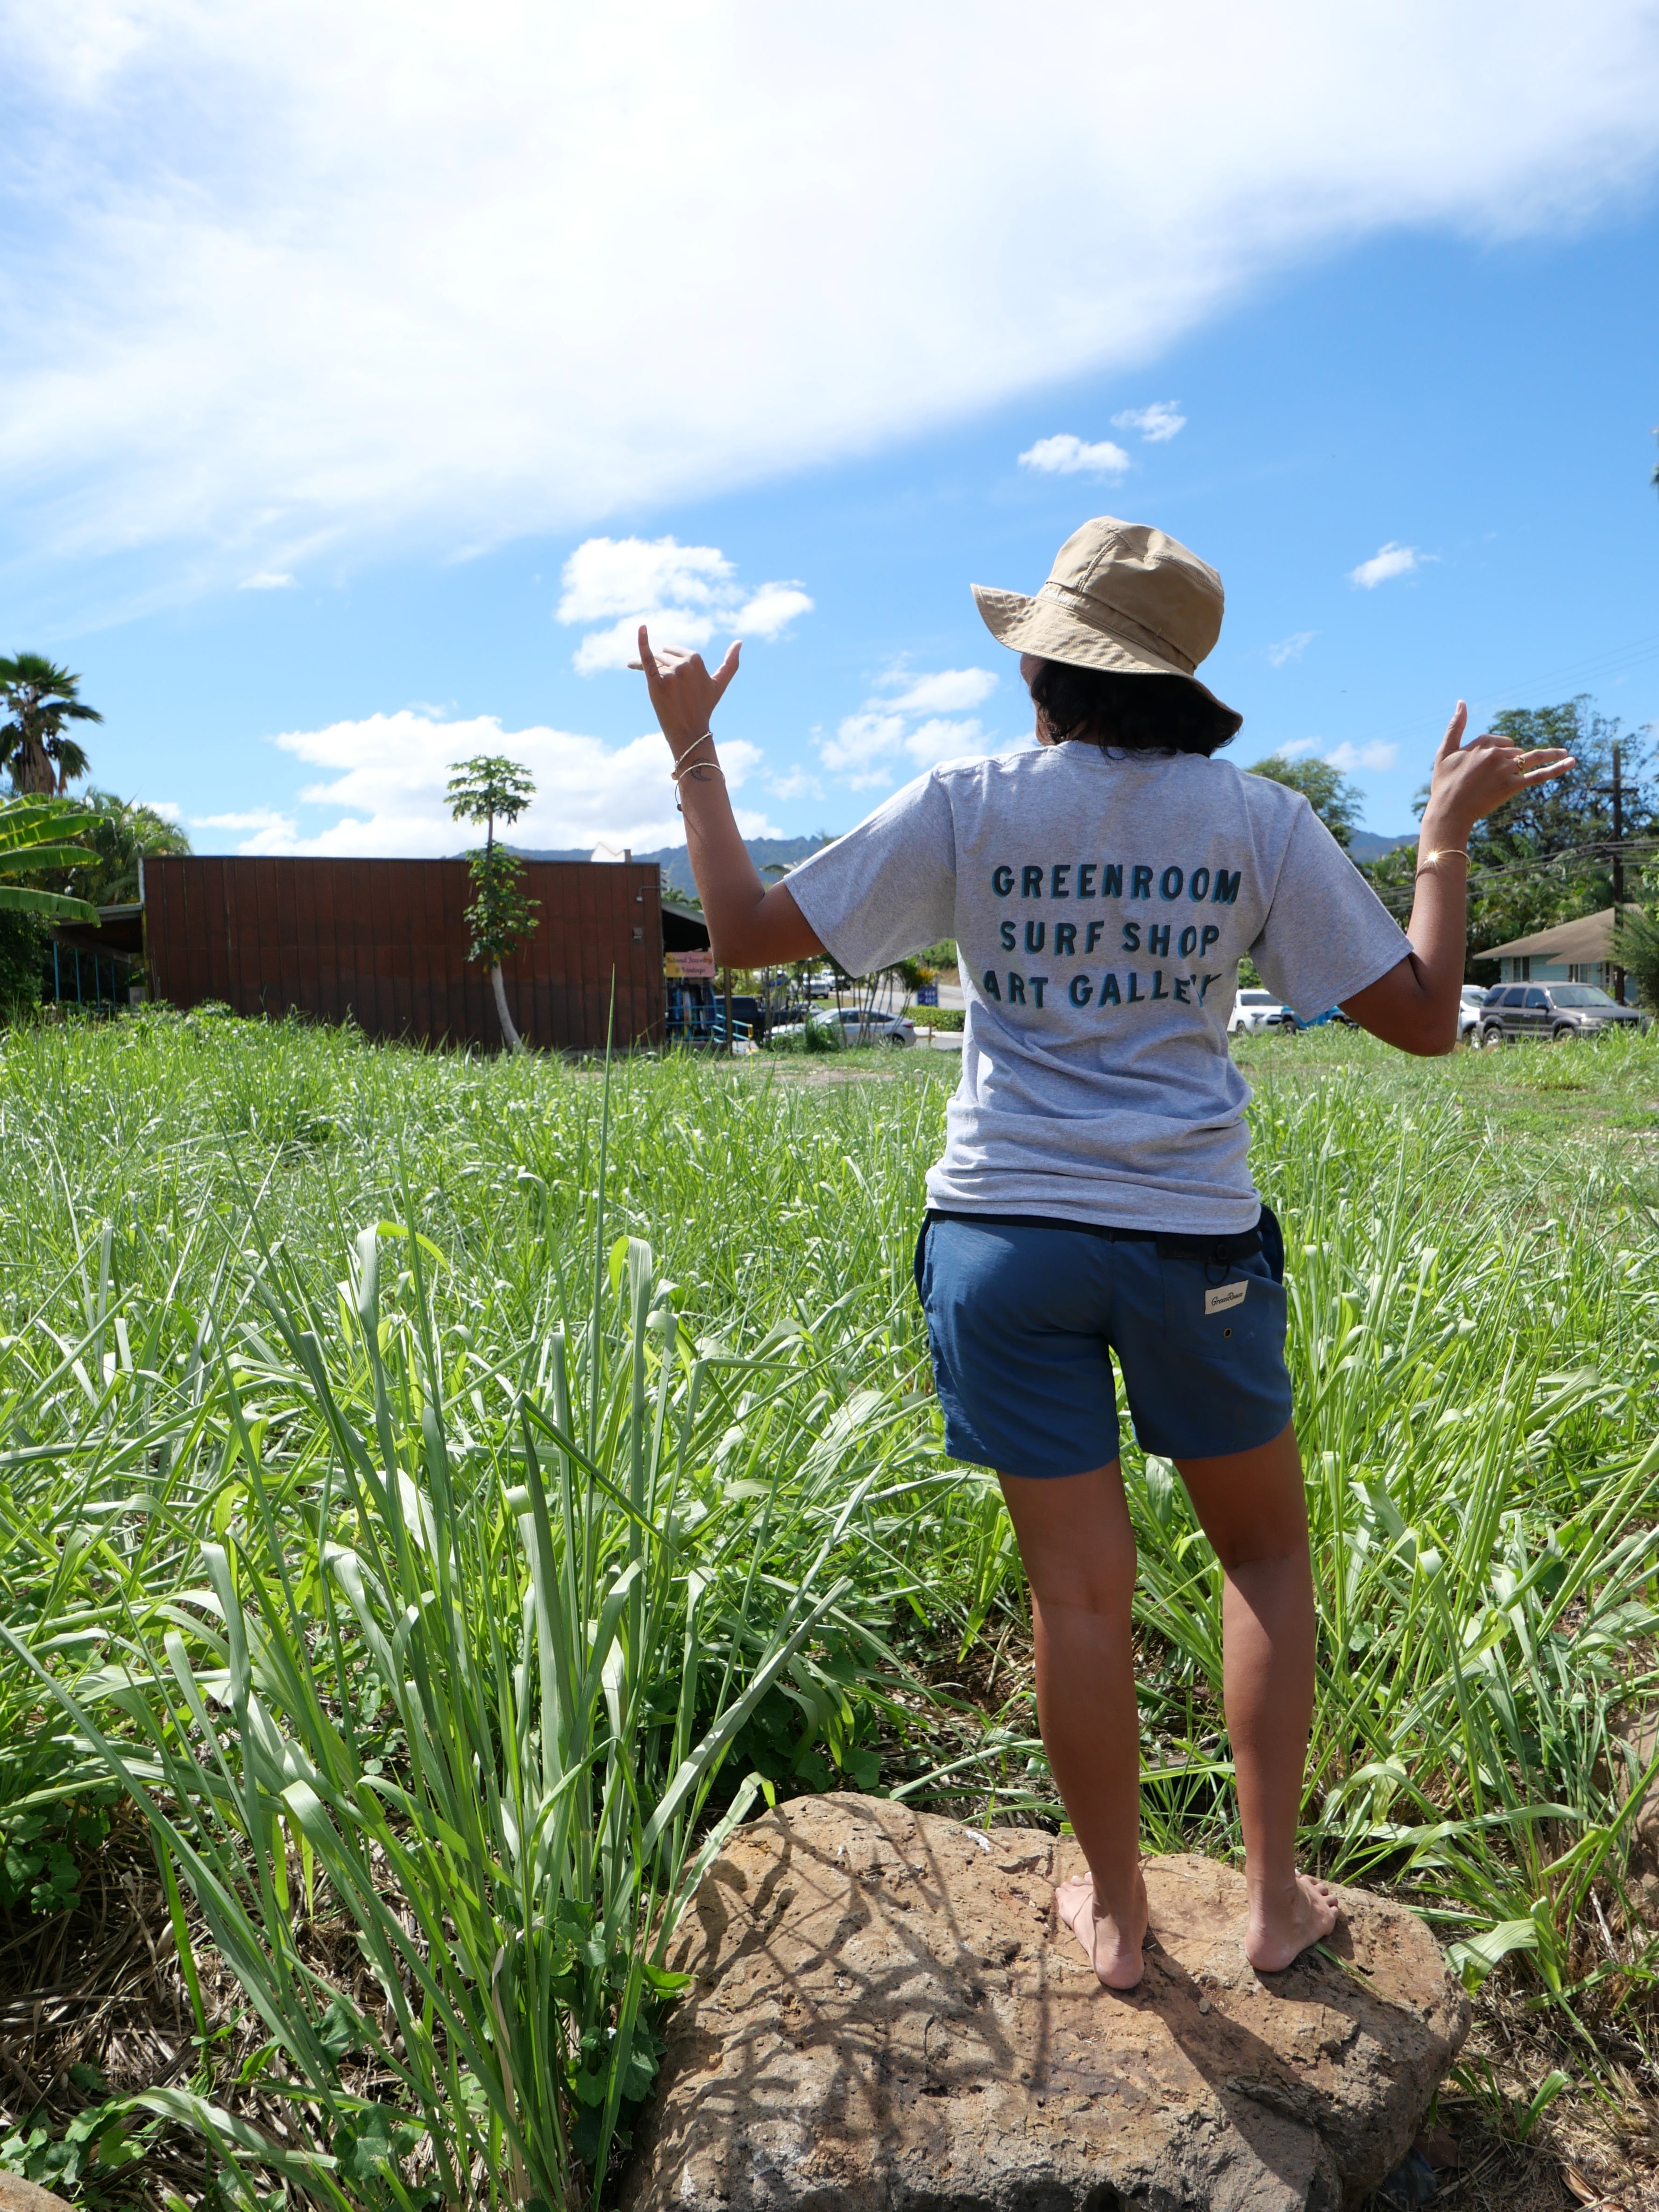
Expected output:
(359, 278)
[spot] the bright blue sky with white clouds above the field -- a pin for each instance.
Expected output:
(278, 525)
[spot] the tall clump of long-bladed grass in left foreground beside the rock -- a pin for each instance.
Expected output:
(470, 1651)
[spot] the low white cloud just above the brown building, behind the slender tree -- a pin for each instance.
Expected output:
(384, 786)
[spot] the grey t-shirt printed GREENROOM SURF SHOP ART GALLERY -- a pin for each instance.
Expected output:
(1100, 908)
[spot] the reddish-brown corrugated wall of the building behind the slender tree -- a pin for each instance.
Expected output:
(386, 943)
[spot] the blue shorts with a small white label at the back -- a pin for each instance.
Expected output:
(1023, 1322)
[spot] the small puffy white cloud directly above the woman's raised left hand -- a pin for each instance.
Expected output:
(682, 592)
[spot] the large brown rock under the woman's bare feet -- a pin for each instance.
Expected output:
(886, 2018)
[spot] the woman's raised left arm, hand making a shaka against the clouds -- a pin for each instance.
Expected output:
(749, 924)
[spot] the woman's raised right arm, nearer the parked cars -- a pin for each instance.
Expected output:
(1417, 1003)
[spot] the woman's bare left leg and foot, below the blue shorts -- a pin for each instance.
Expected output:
(1081, 1561)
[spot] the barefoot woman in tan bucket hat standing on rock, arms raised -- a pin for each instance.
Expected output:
(1096, 1196)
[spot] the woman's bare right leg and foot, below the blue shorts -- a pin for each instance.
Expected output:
(1255, 1514)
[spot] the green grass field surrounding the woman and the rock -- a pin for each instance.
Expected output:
(439, 1494)
